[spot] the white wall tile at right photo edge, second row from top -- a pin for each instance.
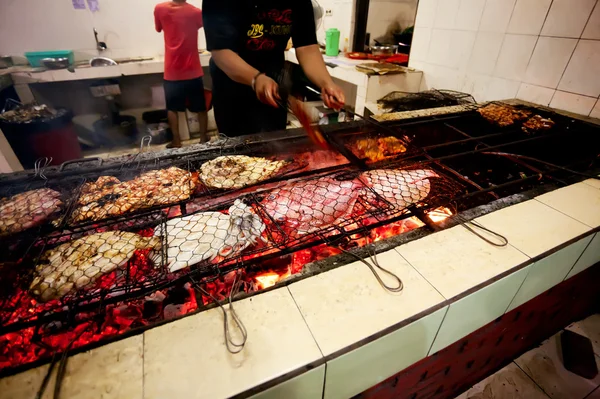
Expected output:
(583, 72)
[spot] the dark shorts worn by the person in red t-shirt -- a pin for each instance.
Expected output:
(182, 94)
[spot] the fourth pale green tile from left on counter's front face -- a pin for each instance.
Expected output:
(548, 272)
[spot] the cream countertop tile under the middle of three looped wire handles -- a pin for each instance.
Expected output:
(347, 304)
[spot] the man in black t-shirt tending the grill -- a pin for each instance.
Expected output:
(247, 39)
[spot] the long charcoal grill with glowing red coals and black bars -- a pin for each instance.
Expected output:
(471, 156)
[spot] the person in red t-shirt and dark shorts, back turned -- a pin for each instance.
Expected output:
(183, 73)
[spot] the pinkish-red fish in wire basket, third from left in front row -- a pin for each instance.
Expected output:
(306, 206)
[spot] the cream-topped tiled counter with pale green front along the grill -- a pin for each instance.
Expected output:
(338, 333)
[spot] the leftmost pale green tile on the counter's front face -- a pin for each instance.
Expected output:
(306, 386)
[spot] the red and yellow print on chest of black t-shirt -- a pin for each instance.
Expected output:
(272, 26)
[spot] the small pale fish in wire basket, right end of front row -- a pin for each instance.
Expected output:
(400, 187)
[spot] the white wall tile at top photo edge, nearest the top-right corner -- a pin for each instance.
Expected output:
(567, 18)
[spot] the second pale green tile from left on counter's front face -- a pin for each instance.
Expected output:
(355, 372)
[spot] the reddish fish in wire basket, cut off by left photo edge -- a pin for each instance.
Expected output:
(29, 209)
